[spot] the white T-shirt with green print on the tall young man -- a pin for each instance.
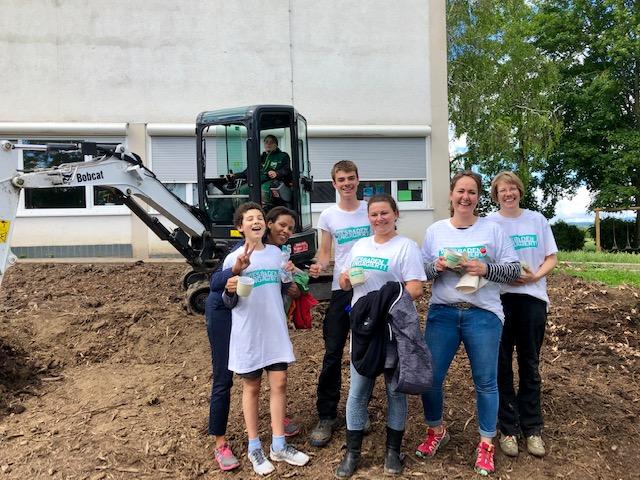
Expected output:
(345, 228)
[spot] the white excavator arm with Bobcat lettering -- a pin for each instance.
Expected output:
(122, 172)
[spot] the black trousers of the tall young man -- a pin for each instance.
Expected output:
(335, 330)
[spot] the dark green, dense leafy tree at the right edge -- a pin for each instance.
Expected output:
(595, 45)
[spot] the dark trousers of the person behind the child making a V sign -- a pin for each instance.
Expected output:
(219, 332)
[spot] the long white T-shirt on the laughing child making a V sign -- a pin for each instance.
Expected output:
(259, 333)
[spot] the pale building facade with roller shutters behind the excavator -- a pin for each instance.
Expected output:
(370, 78)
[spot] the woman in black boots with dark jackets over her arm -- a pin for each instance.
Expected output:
(383, 257)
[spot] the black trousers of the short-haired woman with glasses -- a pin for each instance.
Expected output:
(525, 321)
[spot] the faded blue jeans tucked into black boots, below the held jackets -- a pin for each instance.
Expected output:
(360, 390)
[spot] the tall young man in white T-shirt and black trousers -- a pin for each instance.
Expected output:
(341, 226)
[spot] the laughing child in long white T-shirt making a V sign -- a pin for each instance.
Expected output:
(259, 336)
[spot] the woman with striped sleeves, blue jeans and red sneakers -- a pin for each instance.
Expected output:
(481, 249)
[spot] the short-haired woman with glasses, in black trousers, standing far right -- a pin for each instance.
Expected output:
(525, 304)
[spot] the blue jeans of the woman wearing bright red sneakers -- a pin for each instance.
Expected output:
(480, 331)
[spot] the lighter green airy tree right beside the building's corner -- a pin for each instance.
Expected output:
(501, 95)
